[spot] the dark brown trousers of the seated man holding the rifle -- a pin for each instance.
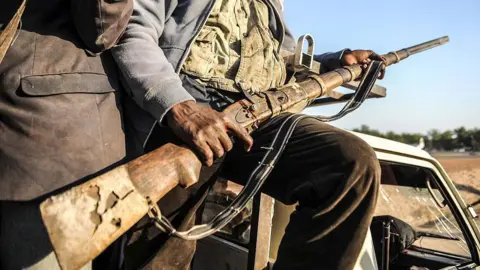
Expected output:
(332, 174)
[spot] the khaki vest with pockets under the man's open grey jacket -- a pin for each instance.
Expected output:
(236, 50)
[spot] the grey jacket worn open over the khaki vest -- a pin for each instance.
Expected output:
(156, 43)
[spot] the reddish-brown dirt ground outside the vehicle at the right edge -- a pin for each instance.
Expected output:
(465, 173)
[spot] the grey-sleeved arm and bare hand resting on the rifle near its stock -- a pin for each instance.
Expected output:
(157, 88)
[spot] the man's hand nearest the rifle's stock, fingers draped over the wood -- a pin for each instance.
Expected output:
(206, 130)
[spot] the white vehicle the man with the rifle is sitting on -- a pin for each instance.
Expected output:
(415, 190)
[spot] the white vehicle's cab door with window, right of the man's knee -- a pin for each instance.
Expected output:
(417, 192)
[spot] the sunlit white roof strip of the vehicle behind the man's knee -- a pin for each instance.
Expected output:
(382, 144)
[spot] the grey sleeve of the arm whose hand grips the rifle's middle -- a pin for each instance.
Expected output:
(149, 77)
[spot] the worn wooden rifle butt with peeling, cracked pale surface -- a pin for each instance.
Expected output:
(85, 220)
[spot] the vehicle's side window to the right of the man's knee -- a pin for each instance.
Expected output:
(404, 195)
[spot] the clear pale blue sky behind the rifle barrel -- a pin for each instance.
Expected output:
(434, 89)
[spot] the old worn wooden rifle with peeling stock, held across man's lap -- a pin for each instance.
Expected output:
(85, 220)
